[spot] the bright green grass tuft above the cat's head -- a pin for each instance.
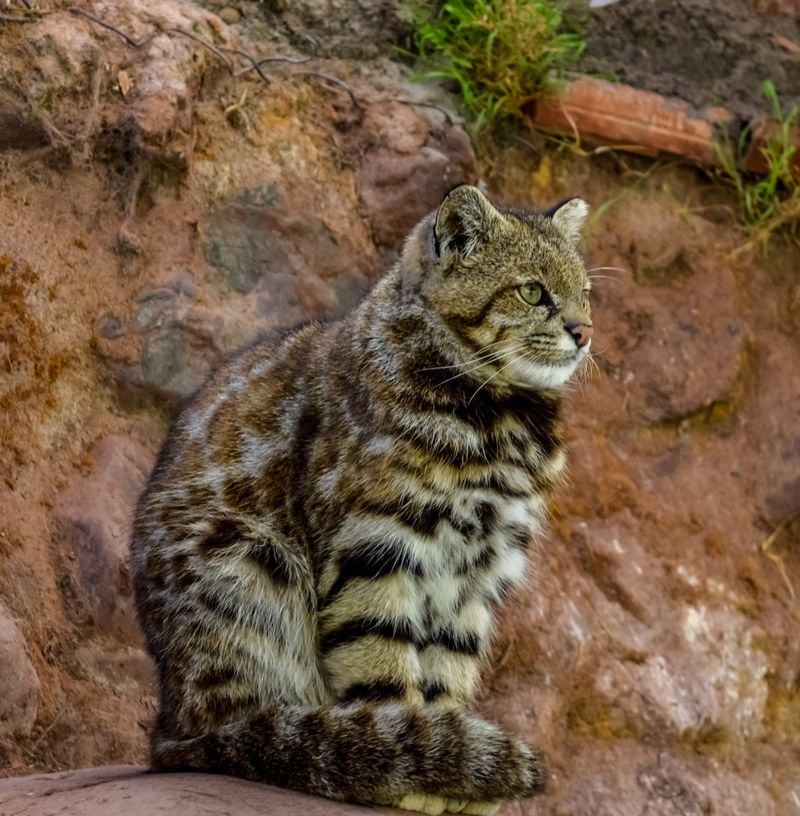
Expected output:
(502, 54)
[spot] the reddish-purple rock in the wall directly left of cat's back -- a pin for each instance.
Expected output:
(91, 532)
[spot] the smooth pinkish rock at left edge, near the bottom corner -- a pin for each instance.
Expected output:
(19, 684)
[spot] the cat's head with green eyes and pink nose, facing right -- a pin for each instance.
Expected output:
(509, 284)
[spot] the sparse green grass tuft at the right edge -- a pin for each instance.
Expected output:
(771, 203)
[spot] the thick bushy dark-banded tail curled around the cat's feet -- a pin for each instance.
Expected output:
(364, 752)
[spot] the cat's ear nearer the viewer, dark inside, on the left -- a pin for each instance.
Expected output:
(463, 222)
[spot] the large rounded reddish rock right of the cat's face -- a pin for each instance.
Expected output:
(677, 351)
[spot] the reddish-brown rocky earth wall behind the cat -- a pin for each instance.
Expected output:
(165, 197)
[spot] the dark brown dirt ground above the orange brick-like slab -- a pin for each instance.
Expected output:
(706, 52)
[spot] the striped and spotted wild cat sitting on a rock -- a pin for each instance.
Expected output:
(336, 514)
